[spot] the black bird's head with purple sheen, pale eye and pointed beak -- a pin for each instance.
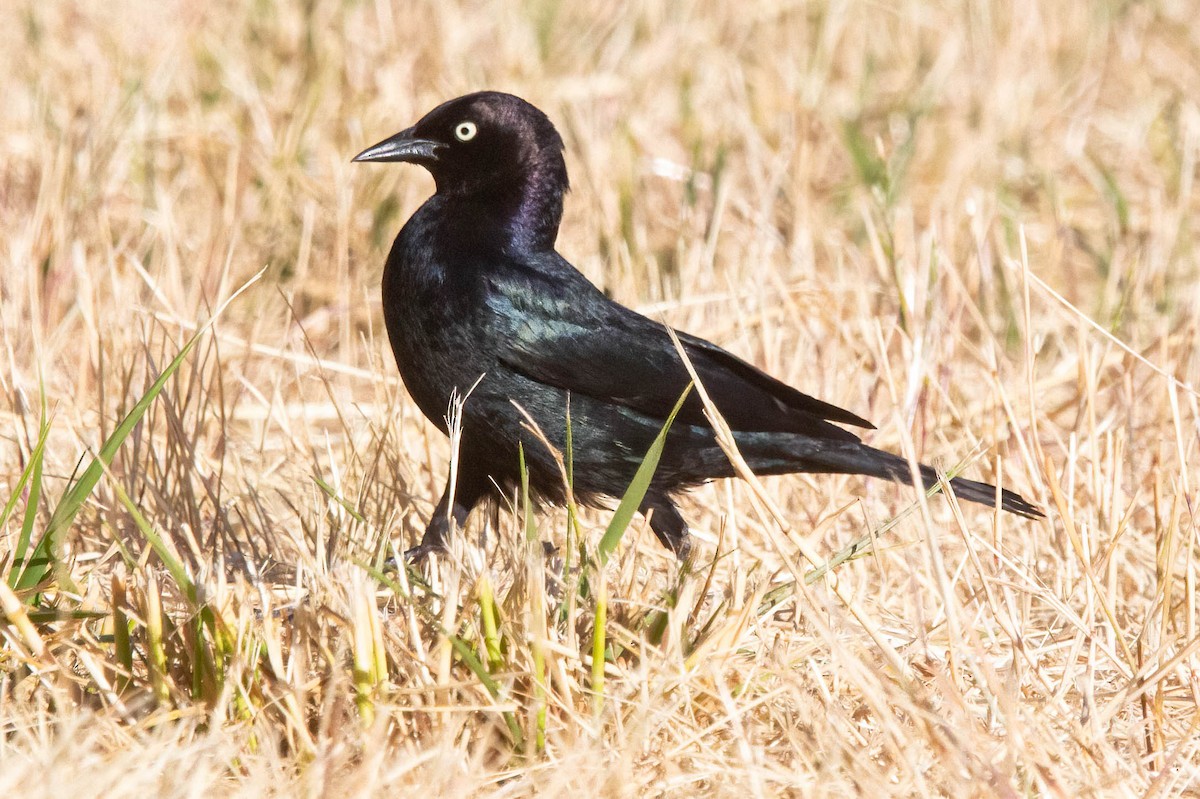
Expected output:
(493, 148)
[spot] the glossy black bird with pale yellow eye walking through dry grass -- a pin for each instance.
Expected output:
(475, 295)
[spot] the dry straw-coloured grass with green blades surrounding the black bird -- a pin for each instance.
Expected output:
(974, 225)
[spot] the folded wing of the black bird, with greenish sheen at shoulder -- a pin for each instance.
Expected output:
(559, 329)
